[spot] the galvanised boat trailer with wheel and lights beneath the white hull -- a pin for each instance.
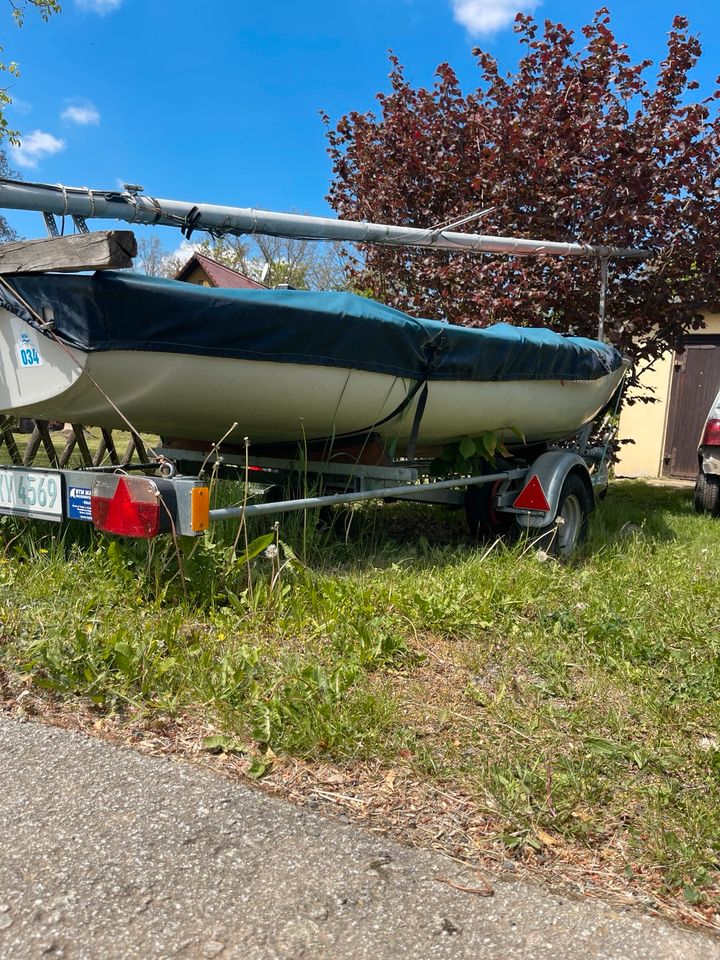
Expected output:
(142, 492)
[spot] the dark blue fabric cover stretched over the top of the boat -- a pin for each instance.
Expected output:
(125, 311)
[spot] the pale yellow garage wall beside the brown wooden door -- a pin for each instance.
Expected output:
(645, 422)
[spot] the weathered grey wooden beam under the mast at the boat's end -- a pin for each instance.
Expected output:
(100, 250)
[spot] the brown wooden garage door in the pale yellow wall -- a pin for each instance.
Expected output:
(694, 385)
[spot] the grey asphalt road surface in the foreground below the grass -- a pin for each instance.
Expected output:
(107, 854)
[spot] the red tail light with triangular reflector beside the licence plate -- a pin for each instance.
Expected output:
(129, 506)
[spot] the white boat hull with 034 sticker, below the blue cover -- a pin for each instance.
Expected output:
(201, 398)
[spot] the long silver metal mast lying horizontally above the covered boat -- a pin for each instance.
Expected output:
(130, 205)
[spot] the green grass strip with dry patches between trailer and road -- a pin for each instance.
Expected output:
(573, 708)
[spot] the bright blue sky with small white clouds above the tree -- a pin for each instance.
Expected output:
(220, 102)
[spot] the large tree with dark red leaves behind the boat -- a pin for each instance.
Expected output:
(575, 145)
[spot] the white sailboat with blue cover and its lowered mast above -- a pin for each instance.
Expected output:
(279, 366)
